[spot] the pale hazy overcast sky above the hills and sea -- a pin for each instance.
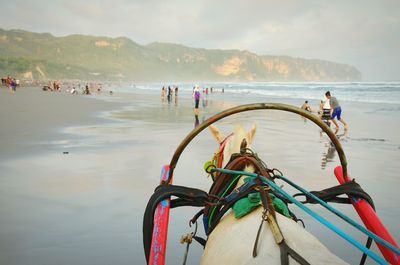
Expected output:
(363, 33)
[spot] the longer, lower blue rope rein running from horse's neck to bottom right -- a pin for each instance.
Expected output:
(320, 219)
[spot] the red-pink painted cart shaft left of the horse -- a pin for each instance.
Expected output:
(160, 230)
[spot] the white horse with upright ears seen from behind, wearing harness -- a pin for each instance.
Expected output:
(232, 241)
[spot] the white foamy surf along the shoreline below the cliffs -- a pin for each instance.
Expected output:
(369, 92)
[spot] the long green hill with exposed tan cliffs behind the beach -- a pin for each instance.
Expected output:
(42, 56)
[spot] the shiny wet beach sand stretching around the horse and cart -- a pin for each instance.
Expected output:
(76, 171)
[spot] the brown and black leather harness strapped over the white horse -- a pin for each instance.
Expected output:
(223, 195)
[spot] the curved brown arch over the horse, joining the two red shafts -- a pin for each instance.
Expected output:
(258, 106)
